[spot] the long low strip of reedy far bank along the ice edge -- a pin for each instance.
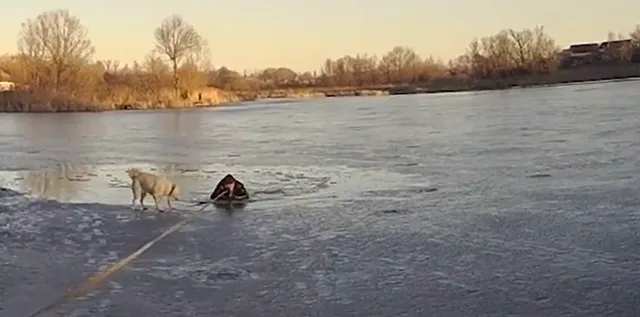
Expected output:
(30, 101)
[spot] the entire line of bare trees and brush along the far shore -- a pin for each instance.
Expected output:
(56, 58)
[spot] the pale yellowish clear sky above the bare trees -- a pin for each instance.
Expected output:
(255, 34)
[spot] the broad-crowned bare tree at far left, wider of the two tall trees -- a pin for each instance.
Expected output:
(55, 40)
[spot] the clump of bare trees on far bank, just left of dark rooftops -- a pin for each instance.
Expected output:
(504, 54)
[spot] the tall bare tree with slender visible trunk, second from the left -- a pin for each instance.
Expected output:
(177, 39)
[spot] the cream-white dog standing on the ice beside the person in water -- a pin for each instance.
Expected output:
(144, 183)
